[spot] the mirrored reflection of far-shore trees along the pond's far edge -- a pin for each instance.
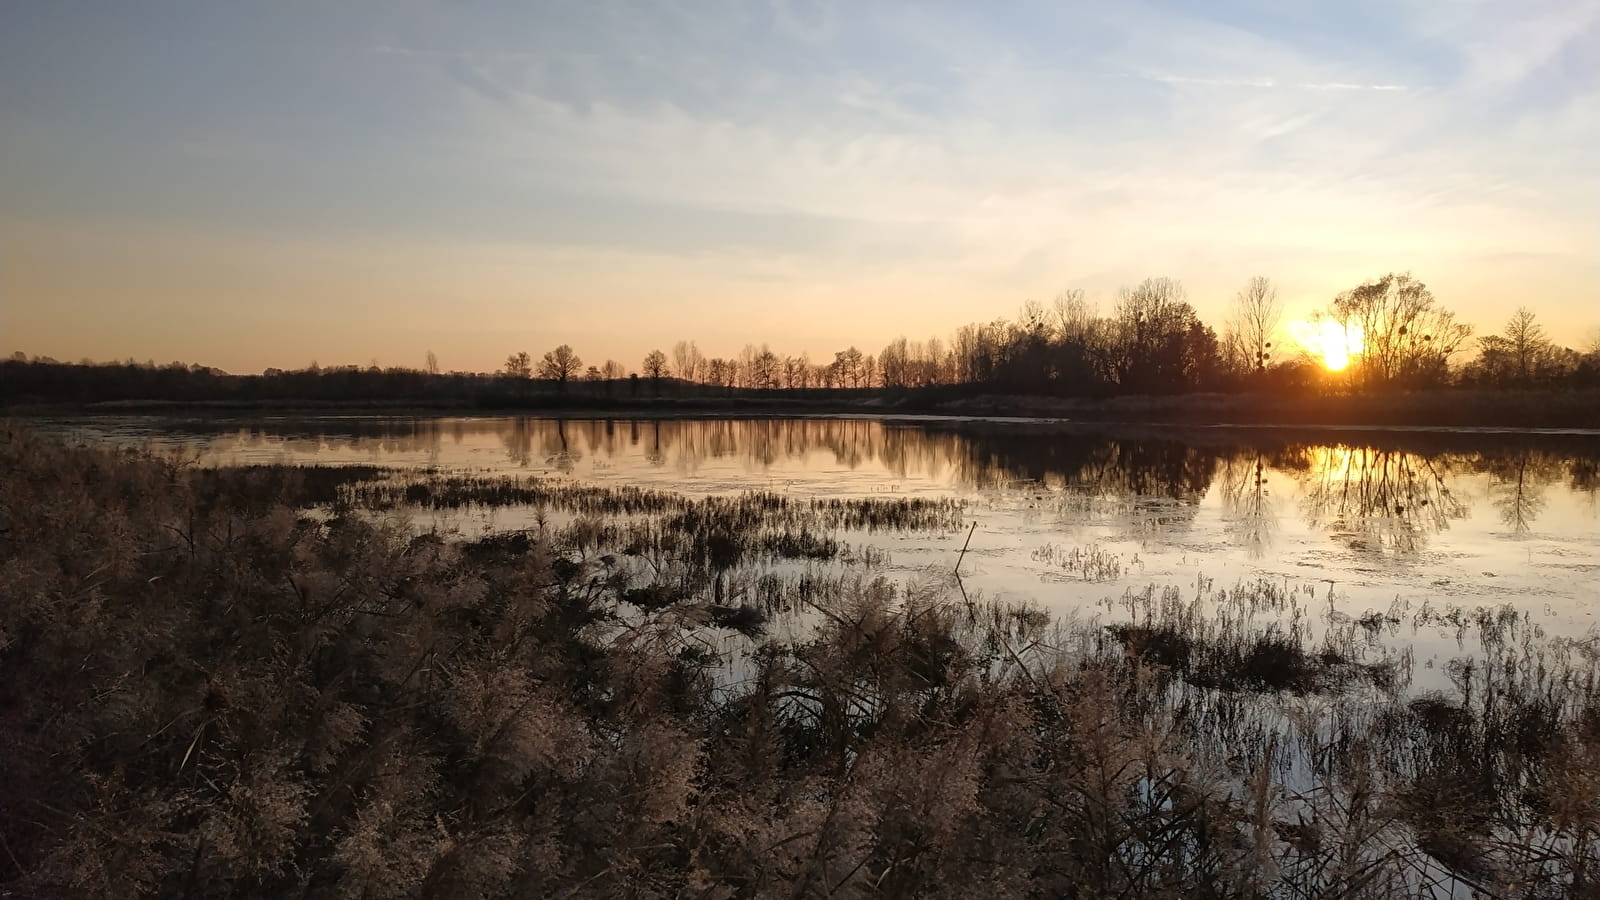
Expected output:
(1386, 496)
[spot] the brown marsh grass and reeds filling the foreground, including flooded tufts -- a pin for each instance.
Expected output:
(207, 694)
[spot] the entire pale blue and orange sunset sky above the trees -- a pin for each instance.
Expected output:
(266, 185)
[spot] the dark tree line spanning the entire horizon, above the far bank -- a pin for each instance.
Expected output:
(1391, 334)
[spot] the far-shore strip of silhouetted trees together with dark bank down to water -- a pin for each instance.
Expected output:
(1358, 361)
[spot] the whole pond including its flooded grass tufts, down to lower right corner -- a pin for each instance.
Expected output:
(1361, 627)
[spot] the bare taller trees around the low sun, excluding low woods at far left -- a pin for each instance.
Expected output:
(1396, 335)
